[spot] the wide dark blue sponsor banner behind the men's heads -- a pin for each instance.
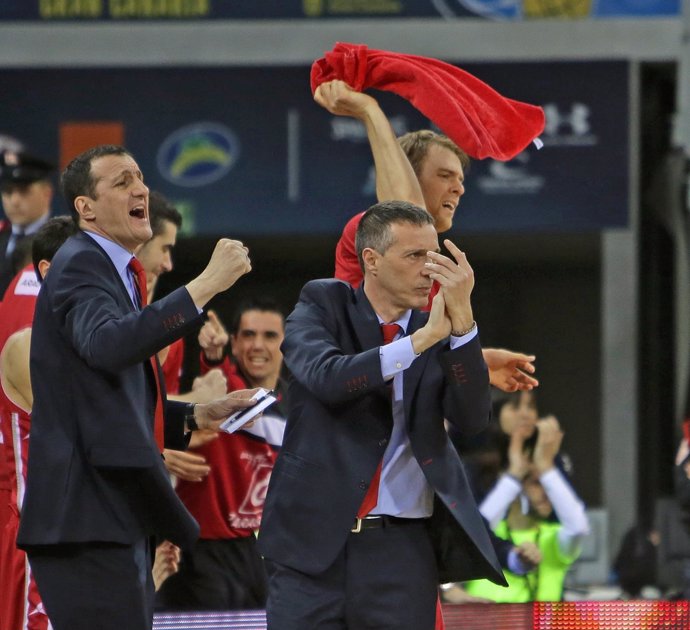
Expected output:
(247, 151)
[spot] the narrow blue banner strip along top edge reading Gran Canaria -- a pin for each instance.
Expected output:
(88, 10)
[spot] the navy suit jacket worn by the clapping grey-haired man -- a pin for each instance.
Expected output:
(338, 426)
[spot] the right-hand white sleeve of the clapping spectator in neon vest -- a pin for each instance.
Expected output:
(569, 510)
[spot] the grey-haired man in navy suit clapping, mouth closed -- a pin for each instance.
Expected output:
(367, 474)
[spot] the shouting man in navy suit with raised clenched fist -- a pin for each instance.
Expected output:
(97, 491)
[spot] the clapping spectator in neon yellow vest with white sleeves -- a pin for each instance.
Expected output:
(518, 508)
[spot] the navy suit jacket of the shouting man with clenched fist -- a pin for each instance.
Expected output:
(94, 471)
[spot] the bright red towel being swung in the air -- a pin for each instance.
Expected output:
(476, 117)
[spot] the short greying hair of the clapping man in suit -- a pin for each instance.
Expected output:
(374, 231)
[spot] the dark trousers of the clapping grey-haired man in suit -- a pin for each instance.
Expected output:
(384, 579)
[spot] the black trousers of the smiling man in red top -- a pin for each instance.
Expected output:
(225, 574)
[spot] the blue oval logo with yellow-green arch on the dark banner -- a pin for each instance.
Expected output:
(198, 154)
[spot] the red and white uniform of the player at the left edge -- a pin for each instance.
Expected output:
(20, 604)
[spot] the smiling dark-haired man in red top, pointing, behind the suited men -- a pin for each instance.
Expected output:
(224, 570)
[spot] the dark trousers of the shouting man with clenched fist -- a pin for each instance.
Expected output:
(95, 585)
